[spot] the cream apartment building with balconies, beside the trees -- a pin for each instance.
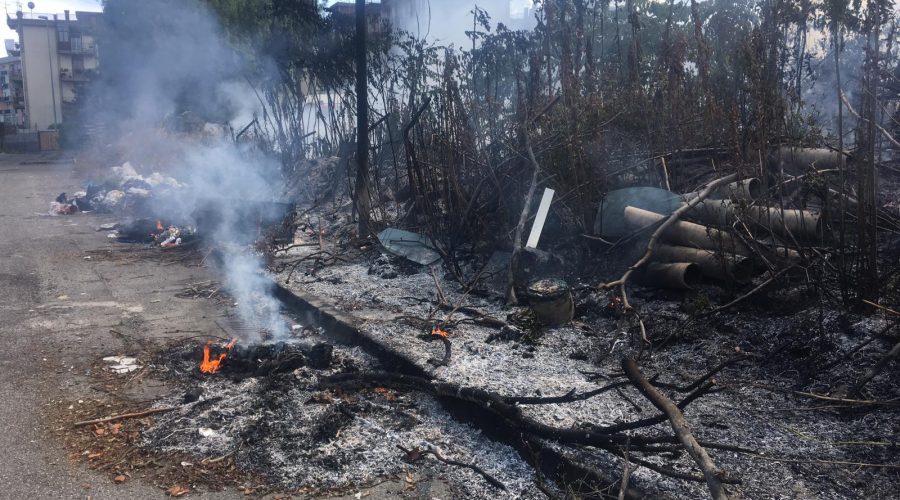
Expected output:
(58, 56)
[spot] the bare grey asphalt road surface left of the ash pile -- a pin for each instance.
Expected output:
(56, 310)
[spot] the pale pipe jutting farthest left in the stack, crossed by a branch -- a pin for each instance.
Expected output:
(687, 233)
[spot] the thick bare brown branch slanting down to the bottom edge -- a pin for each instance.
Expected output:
(711, 472)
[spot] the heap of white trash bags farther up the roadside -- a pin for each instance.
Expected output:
(125, 190)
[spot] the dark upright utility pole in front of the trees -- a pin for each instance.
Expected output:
(362, 198)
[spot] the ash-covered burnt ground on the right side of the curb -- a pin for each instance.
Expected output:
(801, 350)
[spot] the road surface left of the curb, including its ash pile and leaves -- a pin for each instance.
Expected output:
(70, 297)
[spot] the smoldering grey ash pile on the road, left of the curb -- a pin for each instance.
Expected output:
(285, 425)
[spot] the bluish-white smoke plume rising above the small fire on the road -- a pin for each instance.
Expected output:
(167, 63)
